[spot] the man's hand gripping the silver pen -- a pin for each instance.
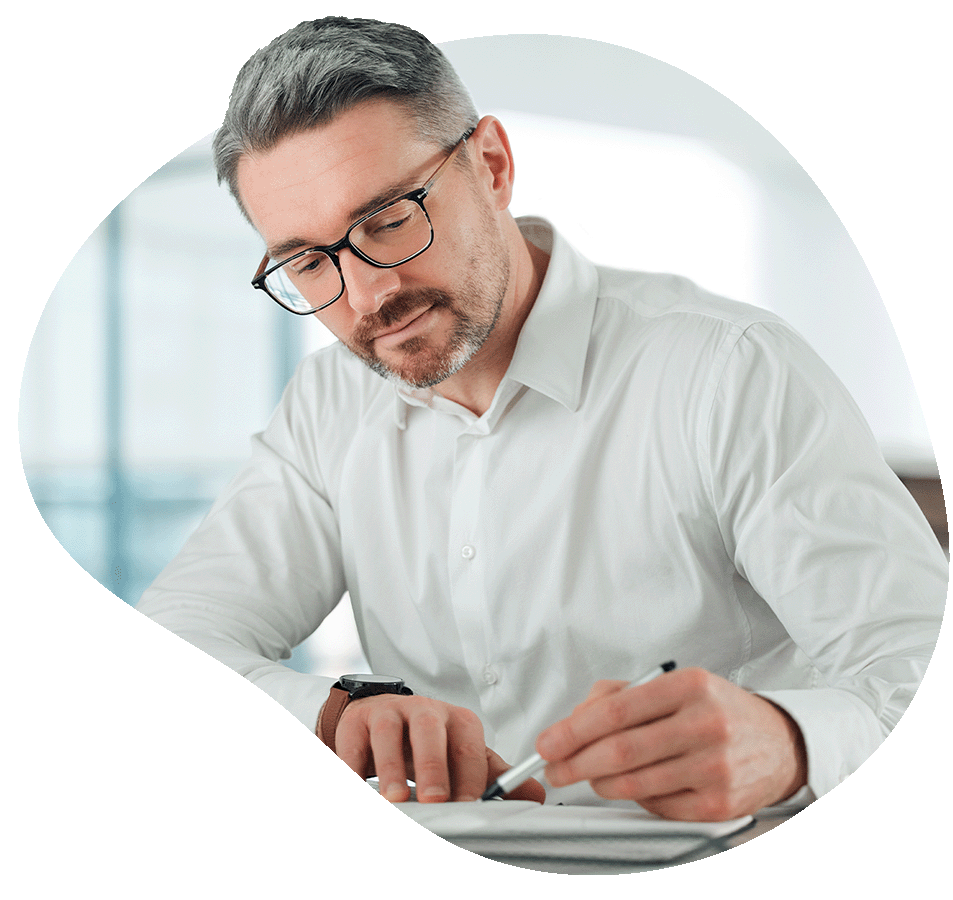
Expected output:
(688, 745)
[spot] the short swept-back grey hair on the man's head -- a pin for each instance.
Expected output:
(319, 69)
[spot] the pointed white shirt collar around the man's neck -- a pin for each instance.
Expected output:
(550, 353)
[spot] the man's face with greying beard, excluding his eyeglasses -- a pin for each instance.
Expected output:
(420, 322)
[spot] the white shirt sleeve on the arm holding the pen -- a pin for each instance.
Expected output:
(826, 533)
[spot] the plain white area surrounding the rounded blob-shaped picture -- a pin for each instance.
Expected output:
(136, 767)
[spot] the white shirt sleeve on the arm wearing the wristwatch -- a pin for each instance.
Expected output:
(263, 569)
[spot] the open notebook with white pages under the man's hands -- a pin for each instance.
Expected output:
(505, 829)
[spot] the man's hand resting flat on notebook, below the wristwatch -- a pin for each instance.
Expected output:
(439, 747)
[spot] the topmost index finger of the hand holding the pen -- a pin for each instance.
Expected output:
(612, 712)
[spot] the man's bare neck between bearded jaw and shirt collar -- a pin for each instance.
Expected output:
(475, 385)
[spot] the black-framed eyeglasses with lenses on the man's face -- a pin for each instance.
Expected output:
(391, 235)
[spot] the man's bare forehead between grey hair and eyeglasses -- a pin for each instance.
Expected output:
(310, 184)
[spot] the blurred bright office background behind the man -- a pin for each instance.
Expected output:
(154, 359)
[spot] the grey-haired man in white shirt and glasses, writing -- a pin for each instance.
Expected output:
(565, 476)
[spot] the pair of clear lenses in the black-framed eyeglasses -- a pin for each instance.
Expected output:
(391, 236)
